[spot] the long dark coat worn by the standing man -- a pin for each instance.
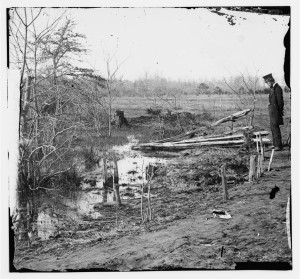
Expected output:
(276, 105)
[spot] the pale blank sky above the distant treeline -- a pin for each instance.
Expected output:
(182, 43)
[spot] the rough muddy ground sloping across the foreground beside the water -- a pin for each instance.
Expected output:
(183, 234)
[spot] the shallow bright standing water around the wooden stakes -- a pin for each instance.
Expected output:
(134, 169)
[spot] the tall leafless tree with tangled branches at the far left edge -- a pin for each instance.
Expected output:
(45, 135)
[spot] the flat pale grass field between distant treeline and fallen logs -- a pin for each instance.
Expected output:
(217, 105)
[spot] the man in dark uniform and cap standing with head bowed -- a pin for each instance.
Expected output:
(275, 110)
